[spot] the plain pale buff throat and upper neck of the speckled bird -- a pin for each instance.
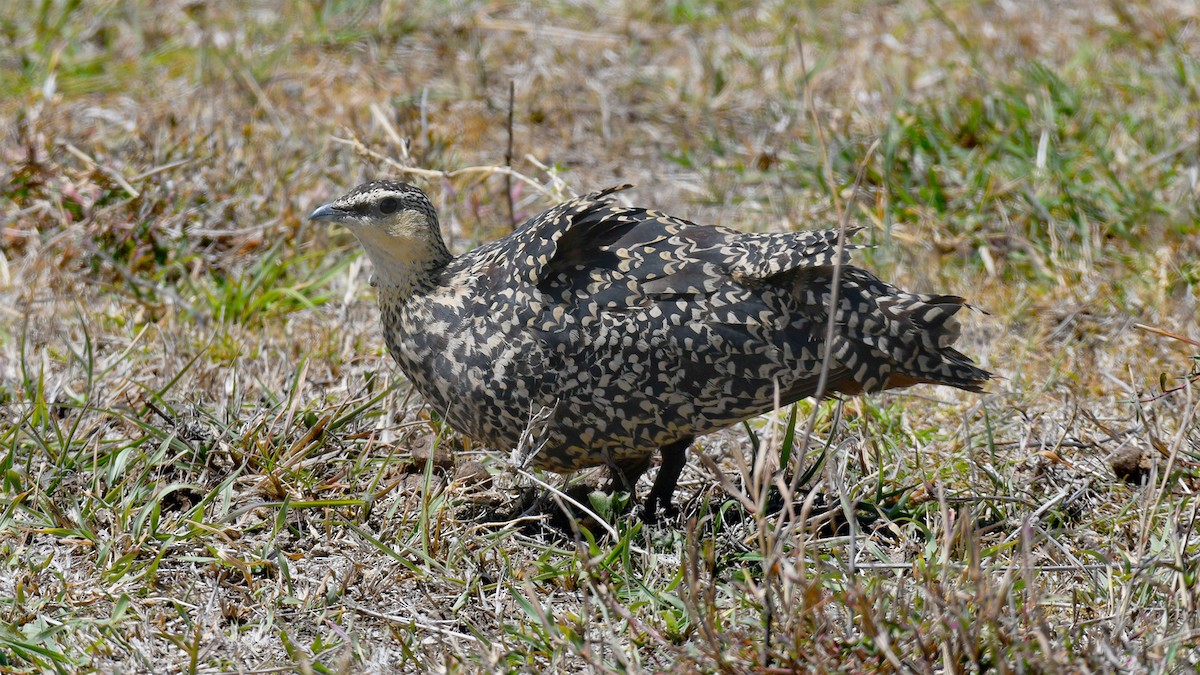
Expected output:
(404, 265)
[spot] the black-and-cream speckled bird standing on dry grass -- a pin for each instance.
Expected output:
(607, 333)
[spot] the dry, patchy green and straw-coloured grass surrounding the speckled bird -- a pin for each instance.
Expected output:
(207, 456)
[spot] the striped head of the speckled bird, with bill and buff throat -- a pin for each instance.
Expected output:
(397, 225)
